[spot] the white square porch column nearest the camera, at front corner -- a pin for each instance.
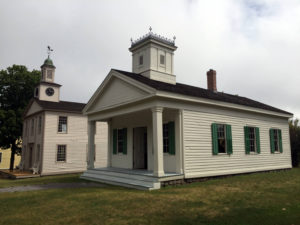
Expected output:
(157, 129)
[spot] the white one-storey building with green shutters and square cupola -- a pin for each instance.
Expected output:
(161, 130)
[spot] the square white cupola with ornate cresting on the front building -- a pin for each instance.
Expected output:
(153, 57)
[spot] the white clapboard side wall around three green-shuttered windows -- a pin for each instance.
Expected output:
(199, 160)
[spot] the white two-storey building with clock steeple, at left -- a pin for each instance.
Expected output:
(55, 131)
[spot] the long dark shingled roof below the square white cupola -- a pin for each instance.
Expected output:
(193, 91)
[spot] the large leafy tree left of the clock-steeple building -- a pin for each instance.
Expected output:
(16, 89)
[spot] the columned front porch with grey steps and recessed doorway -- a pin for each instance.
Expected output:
(144, 148)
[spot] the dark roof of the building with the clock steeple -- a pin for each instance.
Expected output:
(61, 106)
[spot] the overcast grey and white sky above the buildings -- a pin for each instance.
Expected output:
(253, 45)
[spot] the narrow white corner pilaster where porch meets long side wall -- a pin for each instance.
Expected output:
(178, 142)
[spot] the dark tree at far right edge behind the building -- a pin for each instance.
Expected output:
(295, 141)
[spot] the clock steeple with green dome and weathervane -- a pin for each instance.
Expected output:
(47, 90)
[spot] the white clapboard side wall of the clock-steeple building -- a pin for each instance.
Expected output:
(76, 141)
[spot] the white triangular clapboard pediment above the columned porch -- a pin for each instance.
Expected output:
(116, 92)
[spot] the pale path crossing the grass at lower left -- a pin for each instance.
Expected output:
(49, 186)
